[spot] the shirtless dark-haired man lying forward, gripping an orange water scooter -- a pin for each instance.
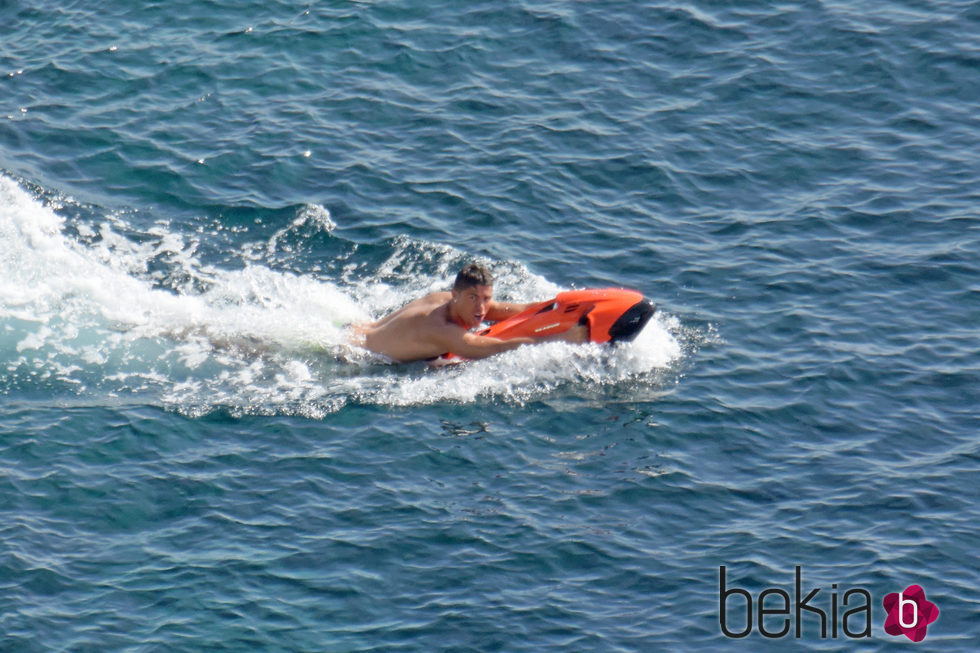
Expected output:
(440, 323)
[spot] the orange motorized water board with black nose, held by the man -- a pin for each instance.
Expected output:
(612, 315)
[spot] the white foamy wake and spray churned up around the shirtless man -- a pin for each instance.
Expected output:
(94, 306)
